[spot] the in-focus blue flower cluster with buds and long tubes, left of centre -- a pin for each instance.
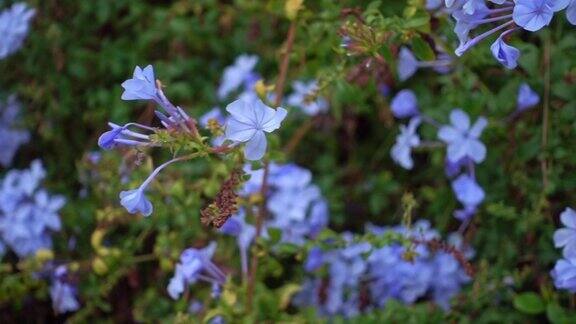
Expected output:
(249, 121)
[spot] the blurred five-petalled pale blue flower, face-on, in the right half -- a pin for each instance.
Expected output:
(462, 138)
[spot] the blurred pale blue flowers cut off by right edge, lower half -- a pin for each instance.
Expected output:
(564, 272)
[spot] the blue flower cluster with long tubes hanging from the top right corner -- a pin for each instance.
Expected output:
(510, 16)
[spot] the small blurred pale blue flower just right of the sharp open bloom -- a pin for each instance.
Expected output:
(306, 98)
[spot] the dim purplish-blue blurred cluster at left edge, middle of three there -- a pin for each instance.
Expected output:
(11, 137)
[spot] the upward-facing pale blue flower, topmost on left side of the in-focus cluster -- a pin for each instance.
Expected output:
(142, 86)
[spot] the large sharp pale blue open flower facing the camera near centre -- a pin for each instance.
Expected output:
(249, 121)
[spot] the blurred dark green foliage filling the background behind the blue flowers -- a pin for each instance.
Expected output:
(68, 76)
